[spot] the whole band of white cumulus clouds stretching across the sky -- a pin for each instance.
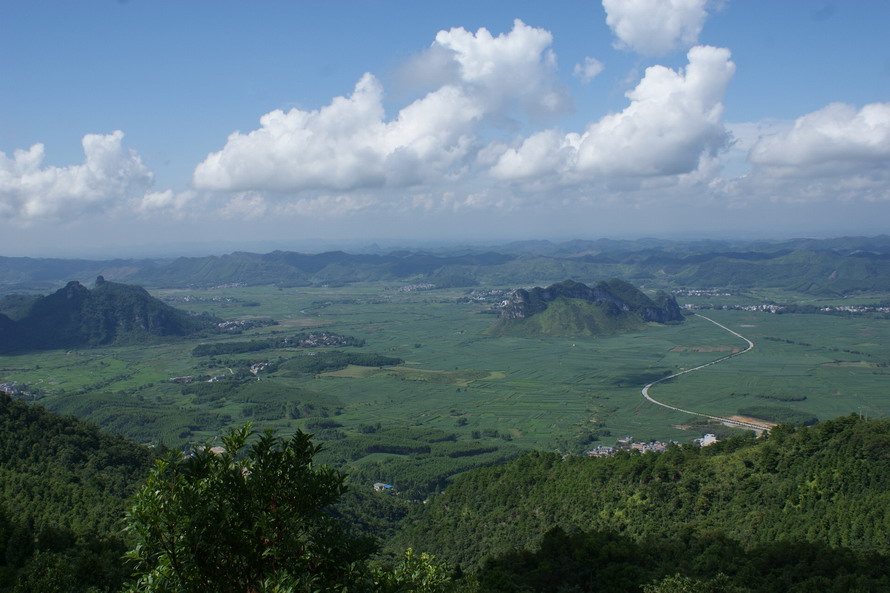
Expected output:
(482, 137)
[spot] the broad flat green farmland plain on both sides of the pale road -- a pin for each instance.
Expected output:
(544, 392)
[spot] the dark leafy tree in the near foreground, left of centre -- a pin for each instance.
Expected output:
(248, 519)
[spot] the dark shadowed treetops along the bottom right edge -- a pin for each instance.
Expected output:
(687, 562)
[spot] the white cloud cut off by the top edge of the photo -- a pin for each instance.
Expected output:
(655, 27)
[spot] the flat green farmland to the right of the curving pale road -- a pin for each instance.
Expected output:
(824, 365)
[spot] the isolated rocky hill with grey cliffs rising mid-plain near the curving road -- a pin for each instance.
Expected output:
(573, 309)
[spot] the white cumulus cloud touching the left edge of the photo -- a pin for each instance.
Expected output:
(109, 173)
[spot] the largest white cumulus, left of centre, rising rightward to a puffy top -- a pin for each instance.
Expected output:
(349, 144)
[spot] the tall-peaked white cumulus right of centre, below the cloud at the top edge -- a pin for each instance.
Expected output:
(672, 122)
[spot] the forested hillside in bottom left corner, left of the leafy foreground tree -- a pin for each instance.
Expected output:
(64, 486)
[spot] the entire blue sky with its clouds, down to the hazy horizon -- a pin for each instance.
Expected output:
(151, 127)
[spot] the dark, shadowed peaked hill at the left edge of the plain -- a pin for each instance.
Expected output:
(77, 317)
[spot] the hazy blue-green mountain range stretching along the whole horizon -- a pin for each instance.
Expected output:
(819, 267)
